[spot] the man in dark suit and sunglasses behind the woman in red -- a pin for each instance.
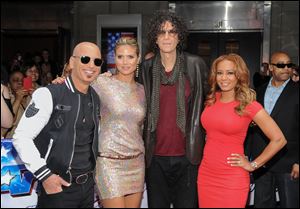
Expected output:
(280, 98)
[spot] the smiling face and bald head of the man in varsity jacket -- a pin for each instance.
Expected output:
(84, 74)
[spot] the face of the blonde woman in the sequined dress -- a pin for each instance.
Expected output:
(126, 59)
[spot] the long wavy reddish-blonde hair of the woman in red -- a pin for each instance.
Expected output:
(243, 93)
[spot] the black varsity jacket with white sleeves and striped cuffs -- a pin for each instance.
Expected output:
(45, 136)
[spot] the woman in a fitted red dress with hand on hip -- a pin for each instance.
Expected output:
(223, 178)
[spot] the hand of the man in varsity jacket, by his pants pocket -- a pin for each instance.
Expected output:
(54, 183)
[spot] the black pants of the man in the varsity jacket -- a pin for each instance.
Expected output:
(74, 196)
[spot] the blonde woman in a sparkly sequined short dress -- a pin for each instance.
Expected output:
(121, 167)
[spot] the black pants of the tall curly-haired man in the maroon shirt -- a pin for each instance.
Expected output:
(171, 180)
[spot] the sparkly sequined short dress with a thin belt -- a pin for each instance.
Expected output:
(120, 168)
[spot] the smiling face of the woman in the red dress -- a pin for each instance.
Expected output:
(226, 76)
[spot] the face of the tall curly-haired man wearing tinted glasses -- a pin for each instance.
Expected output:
(167, 39)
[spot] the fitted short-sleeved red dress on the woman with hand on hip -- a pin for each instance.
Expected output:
(221, 185)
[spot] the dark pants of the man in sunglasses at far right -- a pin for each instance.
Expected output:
(266, 183)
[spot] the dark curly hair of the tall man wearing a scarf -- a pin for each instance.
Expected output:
(158, 20)
